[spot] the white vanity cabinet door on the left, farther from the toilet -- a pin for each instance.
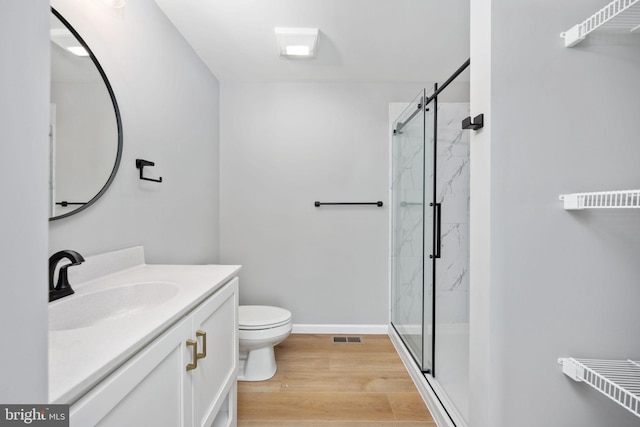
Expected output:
(151, 389)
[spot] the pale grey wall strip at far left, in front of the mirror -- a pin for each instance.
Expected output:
(24, 119)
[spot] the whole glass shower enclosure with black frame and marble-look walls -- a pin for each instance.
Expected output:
(429, 237)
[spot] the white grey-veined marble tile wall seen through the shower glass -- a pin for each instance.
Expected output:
(452, 271)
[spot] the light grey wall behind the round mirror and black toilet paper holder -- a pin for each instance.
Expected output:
(169, 105)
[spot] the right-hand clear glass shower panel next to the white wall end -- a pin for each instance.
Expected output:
(452, 268)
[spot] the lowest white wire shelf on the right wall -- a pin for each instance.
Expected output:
(619, 380)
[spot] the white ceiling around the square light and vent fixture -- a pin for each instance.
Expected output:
(360, 40)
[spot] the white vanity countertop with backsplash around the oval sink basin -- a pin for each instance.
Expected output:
(80, 358)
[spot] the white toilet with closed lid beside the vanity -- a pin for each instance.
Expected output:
(261, 328)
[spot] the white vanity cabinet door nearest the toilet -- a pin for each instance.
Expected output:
(216, 374)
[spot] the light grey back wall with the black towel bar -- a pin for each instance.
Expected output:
(284, 146)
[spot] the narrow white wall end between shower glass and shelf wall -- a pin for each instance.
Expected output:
(482, 379)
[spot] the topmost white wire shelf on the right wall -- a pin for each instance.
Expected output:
(619, 14)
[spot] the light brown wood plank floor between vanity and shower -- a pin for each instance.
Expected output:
(320, 383)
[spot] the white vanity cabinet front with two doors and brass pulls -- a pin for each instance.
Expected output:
(154, 387)
